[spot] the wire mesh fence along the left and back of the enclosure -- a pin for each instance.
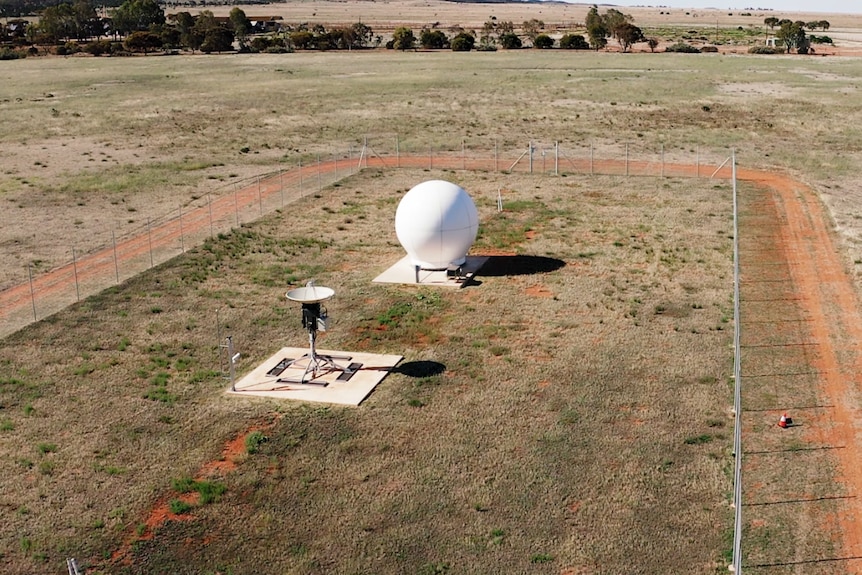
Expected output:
(163, 236)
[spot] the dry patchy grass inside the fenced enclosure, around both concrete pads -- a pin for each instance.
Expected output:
(581, 427)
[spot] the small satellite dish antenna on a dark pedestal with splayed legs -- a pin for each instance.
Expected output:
(314, 319)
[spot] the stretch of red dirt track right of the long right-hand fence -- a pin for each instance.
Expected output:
(831, 306)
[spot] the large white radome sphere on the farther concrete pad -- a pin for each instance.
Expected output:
(437, 222)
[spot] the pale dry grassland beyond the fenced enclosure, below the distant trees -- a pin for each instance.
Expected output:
(121, 141)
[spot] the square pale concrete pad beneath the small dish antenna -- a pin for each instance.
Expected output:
(271, 379)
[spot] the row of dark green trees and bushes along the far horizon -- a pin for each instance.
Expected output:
(143, 26)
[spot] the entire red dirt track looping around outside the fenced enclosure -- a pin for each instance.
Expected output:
(828, 295)
